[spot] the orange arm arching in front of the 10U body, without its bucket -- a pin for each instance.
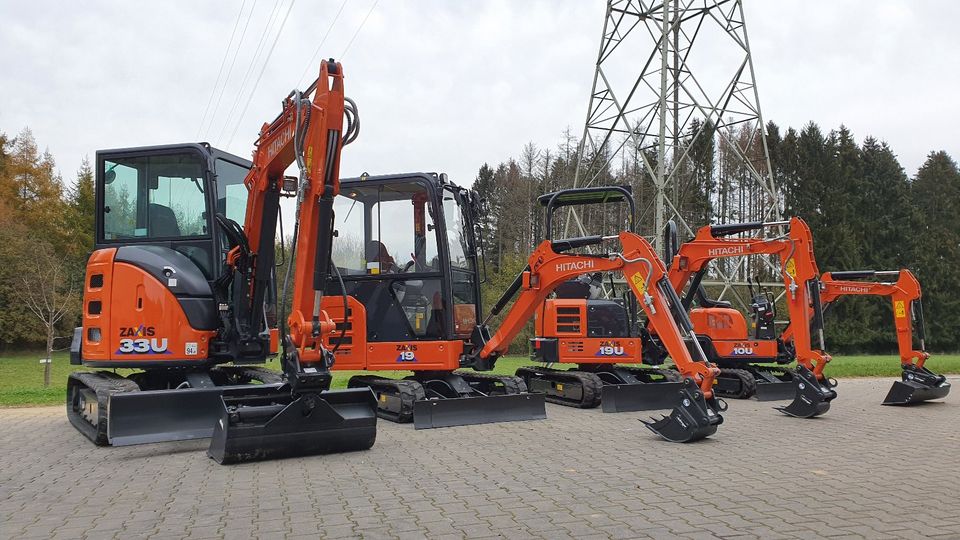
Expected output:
(798, 269)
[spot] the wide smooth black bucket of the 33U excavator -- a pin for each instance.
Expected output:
(258, 426)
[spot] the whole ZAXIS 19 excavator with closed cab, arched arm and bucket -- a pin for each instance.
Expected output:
(407, 253)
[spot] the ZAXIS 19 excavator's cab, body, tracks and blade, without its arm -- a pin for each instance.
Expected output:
(406, 297)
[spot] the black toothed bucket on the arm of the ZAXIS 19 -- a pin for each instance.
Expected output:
(692, 417)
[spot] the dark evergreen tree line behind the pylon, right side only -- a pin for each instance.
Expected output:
(865, 212)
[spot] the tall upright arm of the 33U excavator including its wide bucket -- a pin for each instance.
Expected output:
(301, 416)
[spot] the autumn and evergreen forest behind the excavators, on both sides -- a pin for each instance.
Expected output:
(865, 211)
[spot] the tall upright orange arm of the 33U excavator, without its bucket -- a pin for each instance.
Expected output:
(308, 132)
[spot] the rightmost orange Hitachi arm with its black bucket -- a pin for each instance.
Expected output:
(918, 383)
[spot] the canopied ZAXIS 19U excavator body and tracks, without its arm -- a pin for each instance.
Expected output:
(600, 335)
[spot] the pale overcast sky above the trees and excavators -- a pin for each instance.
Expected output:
(441, 85)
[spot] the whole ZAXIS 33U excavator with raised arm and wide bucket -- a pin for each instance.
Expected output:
(176, 288)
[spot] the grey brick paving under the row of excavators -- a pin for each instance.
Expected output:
(862, 470)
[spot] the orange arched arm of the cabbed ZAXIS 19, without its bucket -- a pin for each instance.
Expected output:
(548, 267)
